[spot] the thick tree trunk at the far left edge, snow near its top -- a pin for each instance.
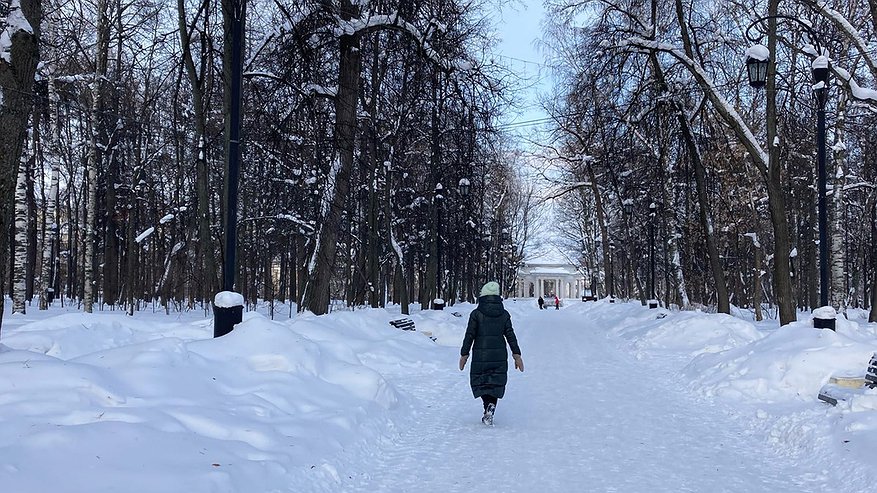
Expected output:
(17, 68)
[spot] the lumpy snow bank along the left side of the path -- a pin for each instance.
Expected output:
(96, 402)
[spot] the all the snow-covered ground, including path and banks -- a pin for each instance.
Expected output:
(615, 397)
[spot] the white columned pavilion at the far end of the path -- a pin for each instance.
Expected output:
(550, 279)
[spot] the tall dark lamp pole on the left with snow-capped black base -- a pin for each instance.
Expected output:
(228, 305)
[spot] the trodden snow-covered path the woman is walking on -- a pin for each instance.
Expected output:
(583, 417)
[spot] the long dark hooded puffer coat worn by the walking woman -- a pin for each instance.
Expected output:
(490, 327)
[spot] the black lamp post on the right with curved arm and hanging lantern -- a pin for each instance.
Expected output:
(757, 60)
